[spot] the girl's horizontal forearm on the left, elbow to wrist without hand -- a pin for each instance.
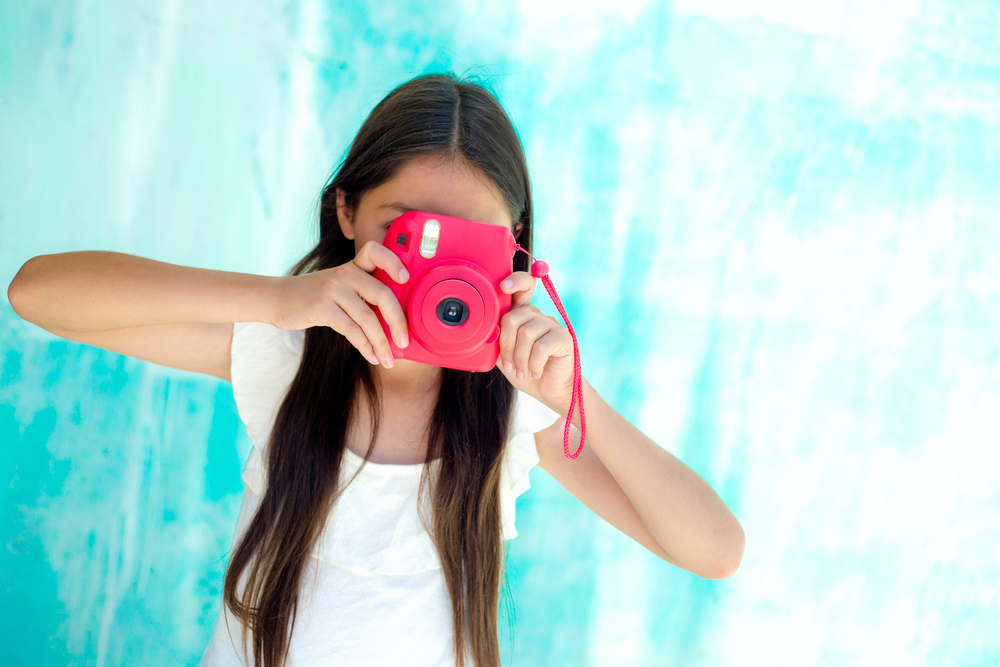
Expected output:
(101, 291)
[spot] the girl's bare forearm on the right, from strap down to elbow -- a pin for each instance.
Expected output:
(680, 510)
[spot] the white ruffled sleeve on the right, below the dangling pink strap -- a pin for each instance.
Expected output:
(530, 416)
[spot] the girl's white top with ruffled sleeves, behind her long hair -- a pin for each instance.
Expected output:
(374, 592)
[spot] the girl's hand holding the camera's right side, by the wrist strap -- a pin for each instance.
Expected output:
(535, 347)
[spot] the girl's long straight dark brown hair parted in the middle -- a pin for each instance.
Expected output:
(429, 115)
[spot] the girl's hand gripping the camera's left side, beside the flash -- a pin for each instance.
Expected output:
(338, 298)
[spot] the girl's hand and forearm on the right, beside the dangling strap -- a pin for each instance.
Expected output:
(678, 508)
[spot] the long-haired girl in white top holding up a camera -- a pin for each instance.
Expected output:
(379, 492)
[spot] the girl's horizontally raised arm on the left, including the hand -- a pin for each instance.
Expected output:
(182, 317)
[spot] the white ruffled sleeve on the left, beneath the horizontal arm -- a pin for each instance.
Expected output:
(265, 360)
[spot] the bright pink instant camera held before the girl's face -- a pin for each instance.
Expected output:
(452, 301)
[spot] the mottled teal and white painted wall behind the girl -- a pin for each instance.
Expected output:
(774, 225)
